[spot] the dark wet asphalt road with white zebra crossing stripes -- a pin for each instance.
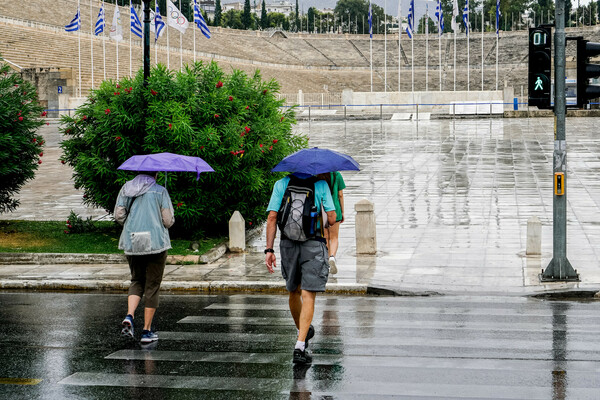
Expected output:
(67, 346)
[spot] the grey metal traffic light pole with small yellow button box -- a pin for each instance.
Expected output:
(559, 269)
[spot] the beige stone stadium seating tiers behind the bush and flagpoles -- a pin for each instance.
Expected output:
(32, 35)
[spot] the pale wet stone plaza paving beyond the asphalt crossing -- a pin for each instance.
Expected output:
(452, 200)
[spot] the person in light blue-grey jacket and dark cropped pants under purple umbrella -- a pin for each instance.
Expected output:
(145, 210)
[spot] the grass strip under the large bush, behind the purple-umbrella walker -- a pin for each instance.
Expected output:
(49, 237)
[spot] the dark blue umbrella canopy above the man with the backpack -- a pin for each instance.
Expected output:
(316, 161)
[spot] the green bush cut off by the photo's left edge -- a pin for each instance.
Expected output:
(21, 148)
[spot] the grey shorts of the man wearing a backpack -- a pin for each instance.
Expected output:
(304, 264)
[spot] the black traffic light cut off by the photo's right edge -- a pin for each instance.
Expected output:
(585, 71)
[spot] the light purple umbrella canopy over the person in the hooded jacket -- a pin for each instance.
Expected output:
(167, 162)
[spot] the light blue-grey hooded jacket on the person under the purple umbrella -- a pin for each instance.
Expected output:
(145, 210)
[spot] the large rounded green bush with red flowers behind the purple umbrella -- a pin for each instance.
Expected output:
(233, 122)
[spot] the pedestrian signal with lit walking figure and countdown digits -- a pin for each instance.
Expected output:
(540, 66)
